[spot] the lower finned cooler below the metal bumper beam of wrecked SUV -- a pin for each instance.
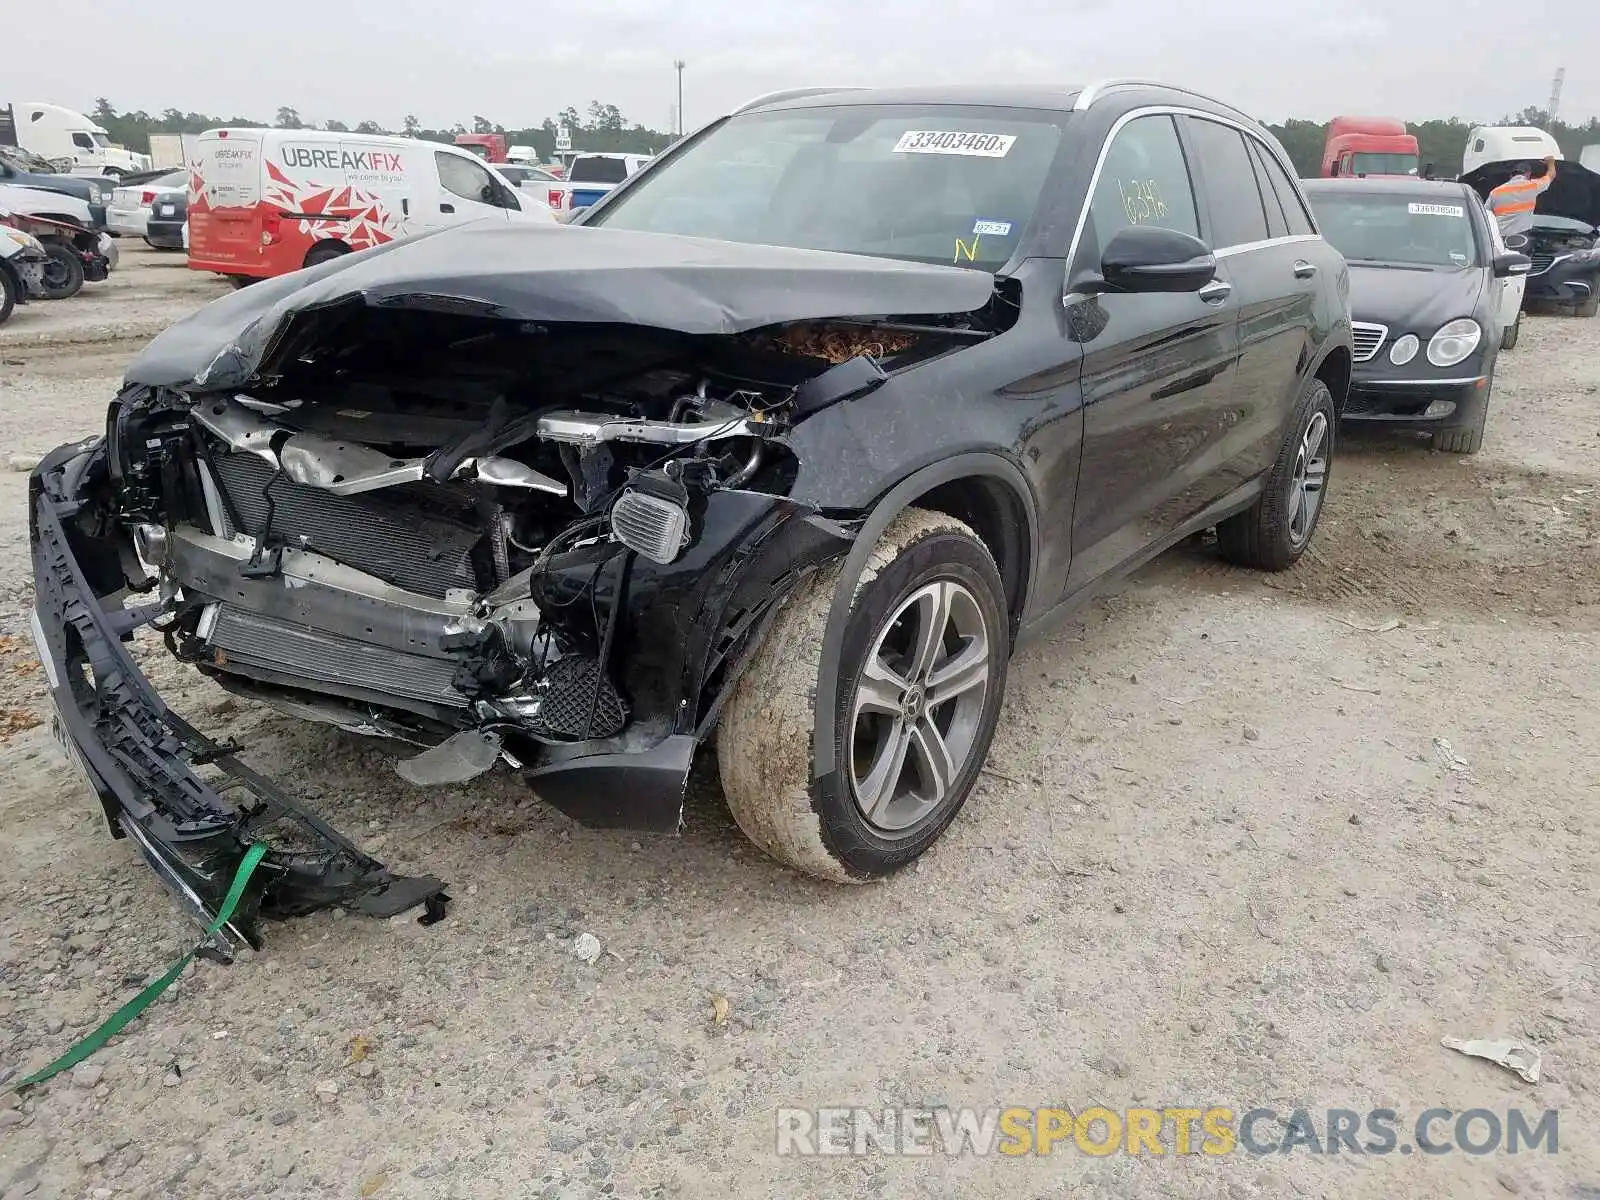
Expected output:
(244, 641)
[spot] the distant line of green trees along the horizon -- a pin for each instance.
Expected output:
(606, 129)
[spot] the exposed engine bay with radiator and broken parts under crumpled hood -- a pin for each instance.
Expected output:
(422, 527)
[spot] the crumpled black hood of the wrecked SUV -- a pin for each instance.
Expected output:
(561, 274)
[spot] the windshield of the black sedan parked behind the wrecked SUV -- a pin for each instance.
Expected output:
(1385, 228)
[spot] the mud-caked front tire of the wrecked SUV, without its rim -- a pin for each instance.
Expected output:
(767, 732)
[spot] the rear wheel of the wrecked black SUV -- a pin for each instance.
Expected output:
(1274, 532)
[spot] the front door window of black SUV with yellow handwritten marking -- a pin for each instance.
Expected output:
(1145, 182)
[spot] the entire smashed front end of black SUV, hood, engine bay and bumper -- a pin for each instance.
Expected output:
(538, 514)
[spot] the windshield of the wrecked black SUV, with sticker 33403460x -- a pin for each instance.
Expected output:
(919, 183)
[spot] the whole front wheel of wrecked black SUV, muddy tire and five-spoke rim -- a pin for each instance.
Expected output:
(921, 682)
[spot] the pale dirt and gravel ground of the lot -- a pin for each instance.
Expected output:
(1220, 858)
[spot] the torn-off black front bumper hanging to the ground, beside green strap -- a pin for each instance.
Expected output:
(140, 758)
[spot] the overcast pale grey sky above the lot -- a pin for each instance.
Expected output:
(519, 63)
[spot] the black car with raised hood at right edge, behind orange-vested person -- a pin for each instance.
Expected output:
(1566, 238)
